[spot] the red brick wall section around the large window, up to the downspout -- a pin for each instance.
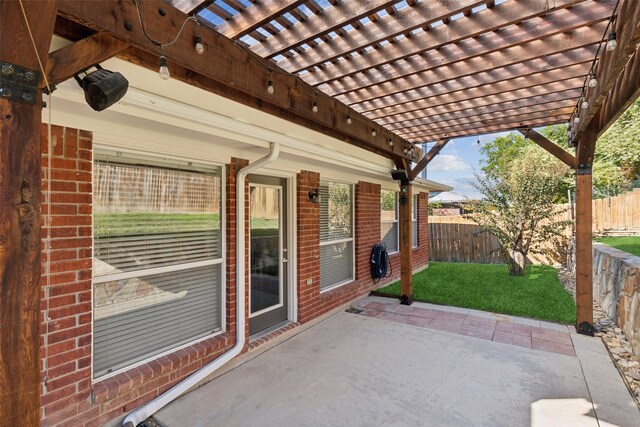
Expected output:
(68, 395)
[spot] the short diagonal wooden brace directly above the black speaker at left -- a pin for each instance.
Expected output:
(67, 61)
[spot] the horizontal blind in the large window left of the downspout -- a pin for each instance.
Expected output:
(157, 266)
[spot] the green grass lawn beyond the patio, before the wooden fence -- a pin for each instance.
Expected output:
(539, 294)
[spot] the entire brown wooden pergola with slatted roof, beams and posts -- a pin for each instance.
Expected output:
(383, 75)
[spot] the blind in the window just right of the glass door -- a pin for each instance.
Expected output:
(336, 234)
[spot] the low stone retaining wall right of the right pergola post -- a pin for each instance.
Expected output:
(616, 286)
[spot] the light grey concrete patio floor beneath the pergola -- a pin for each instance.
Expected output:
(368, 370)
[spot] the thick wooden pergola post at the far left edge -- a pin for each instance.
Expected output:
(20, 198)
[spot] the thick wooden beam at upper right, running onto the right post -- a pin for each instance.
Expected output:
(612, 64)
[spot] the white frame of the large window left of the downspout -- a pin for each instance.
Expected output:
(176, 162)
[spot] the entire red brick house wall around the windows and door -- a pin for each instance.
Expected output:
(69, 397)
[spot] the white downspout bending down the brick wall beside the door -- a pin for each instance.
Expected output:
(145, 411)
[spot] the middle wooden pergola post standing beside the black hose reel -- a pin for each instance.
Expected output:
(406, 265)
